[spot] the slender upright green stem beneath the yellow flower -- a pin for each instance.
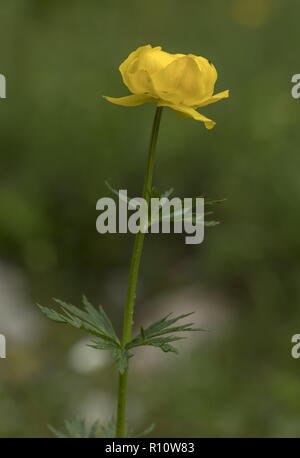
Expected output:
(133, 278)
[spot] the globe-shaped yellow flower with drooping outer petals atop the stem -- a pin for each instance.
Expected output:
(181, 82)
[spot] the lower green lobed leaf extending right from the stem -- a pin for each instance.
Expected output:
(161, 333)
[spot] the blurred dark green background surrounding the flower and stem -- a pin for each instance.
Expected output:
(60, 141)
